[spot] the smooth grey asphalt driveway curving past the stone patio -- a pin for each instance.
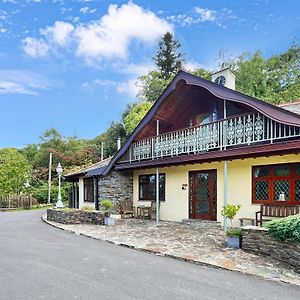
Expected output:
(38, 261)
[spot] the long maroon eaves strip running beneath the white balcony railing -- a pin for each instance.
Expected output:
(290, 147)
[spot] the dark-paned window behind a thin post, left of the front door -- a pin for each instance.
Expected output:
(147, 187)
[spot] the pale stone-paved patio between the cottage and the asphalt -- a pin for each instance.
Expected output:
(190, 242)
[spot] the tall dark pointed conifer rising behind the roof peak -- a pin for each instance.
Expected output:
(168, 59)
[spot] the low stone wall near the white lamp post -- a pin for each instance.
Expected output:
(75, 216)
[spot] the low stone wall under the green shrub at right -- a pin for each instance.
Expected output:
(256, 240)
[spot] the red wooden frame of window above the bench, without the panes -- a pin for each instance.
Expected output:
(271, 178)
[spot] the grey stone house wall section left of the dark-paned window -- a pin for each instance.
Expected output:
(116, 186)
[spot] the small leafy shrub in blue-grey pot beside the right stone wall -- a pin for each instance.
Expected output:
(233, 234)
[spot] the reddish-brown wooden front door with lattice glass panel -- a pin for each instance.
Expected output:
(203, 195)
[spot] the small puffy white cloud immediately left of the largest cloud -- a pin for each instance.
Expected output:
(59, 33)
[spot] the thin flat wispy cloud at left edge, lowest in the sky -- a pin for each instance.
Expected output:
(22, 82)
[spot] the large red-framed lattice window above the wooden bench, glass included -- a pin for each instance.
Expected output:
(276, 184)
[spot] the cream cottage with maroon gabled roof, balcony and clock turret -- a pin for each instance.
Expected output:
(207, 145)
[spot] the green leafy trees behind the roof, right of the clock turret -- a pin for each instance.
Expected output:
(274, 80)
